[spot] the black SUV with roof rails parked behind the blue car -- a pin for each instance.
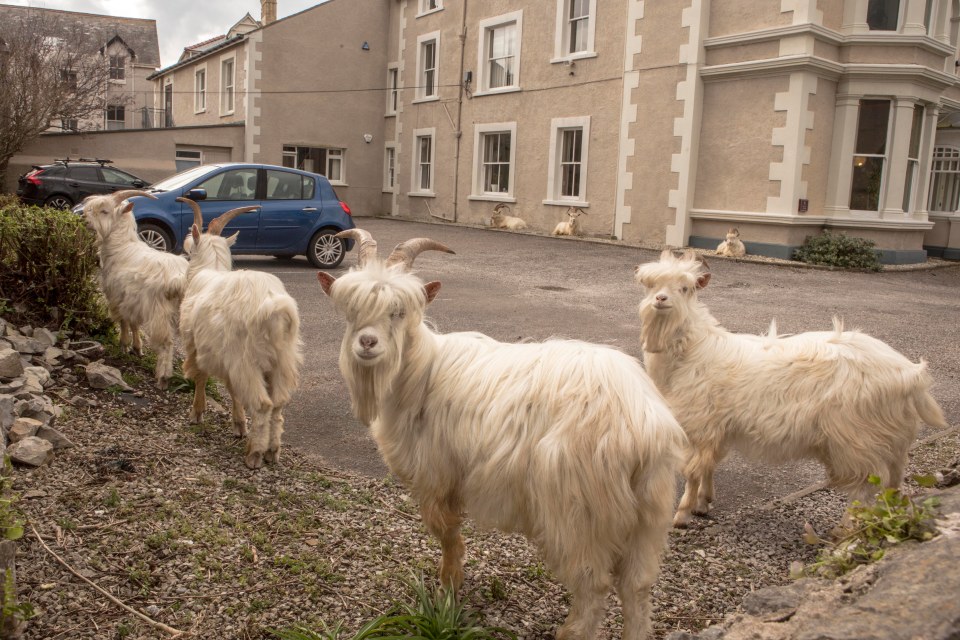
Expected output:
(67, 182)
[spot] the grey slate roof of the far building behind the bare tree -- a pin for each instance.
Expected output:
(139, 34)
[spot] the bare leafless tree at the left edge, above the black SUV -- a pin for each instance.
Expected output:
(50, 72)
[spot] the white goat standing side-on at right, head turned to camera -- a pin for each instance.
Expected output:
(841, 397)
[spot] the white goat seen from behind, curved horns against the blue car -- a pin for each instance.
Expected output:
(241, 327)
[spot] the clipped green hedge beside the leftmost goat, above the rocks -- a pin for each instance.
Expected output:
(48, 264)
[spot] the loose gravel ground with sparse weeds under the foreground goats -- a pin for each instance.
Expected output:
(166, 518)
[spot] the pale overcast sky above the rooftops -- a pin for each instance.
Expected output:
(179, 22)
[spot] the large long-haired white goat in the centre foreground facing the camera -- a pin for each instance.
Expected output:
(565, 442)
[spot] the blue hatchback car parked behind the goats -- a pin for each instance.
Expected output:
(299, 212)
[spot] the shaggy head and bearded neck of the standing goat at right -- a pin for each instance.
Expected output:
(671, 292)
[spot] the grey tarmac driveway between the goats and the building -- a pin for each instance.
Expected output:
(519, 286)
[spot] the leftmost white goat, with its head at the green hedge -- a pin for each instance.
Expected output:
(142, 286)
